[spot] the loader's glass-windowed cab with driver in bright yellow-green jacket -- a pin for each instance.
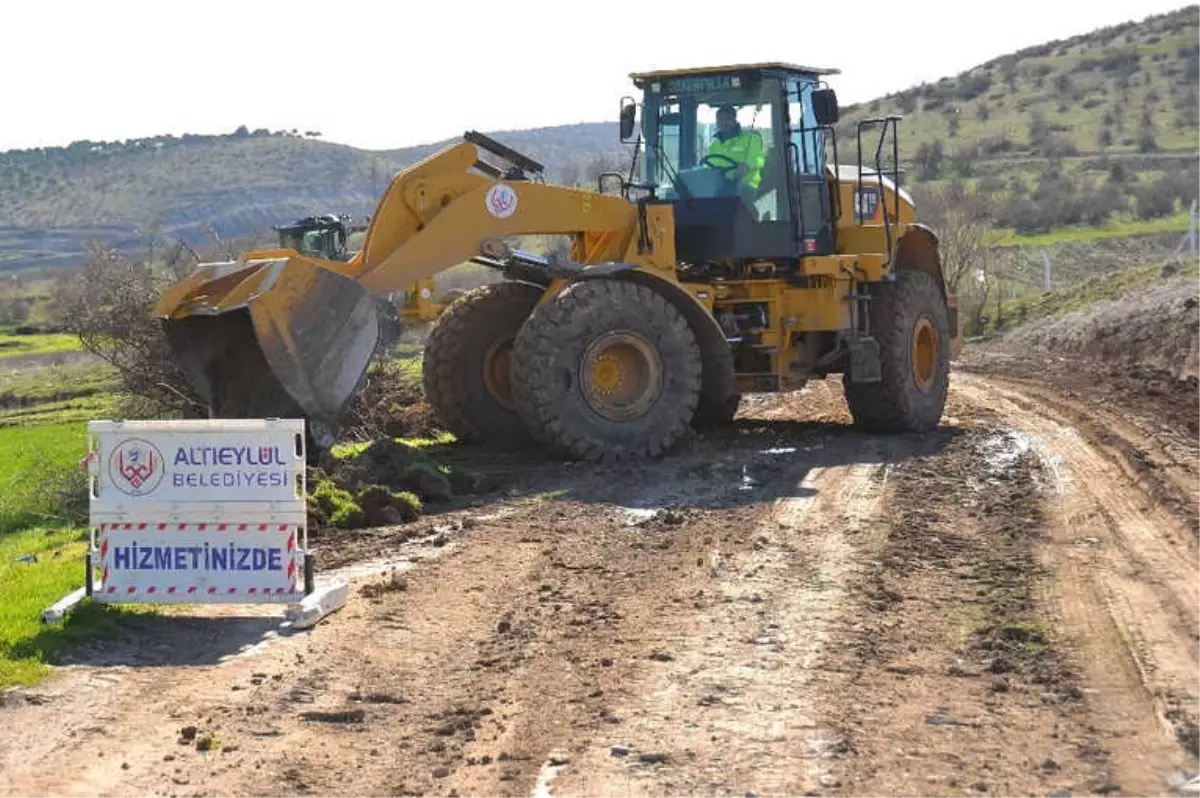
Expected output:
(781, 211)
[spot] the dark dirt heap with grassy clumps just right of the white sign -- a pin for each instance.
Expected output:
(387, 484)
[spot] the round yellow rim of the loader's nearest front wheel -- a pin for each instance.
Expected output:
(621, 375)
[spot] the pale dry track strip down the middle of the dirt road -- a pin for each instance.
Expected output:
(733, 710)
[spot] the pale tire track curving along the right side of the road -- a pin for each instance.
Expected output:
(1119, 553)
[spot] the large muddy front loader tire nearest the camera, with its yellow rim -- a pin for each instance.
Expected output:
(608, 371)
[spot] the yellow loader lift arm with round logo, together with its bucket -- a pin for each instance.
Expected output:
(280, 334)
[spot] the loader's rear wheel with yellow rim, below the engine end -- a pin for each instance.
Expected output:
(910, 322)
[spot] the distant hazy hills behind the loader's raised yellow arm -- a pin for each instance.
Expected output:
(242, 184)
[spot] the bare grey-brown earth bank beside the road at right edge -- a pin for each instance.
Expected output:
(1155, 329)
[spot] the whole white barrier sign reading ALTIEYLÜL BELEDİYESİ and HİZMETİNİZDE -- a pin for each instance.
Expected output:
(199, 512)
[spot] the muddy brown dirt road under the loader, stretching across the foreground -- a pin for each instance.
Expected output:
(1007, 607)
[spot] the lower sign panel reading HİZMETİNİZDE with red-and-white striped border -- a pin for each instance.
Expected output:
(181, 563)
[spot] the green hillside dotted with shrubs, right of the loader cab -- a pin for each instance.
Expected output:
(1078, 133)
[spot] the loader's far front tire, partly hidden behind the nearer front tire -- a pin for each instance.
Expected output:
(467, 364)
